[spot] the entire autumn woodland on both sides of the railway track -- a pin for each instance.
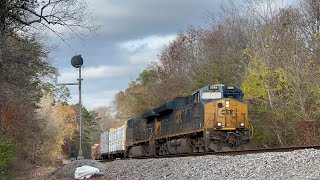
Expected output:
(271, 53)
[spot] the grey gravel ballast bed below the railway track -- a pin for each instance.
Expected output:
(301, 164)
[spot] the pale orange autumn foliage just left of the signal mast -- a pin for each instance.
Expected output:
(58, 125)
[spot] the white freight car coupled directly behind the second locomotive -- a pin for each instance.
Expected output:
(117, 141)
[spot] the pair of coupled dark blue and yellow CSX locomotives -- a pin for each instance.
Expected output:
(213, 118)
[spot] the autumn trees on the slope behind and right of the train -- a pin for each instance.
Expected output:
(272, 54)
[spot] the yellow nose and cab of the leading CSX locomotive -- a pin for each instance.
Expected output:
(225, 117)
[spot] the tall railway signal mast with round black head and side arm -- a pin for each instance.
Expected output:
(77, 62)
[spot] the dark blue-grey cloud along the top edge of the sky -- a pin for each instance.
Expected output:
(127, 19)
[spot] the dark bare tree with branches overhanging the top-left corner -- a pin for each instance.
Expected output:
(20, 16)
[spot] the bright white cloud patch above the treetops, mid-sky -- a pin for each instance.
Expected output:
(145, 50)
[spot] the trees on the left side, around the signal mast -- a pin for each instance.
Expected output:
(37, 124)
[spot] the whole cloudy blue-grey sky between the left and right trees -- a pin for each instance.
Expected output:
(131, 36)
